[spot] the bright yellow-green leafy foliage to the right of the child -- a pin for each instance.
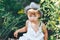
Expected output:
(51, 15)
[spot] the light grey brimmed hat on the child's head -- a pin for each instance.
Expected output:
(35, 6)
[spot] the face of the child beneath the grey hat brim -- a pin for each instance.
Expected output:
(33, 15)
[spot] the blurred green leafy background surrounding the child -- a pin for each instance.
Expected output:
(12, 17)
